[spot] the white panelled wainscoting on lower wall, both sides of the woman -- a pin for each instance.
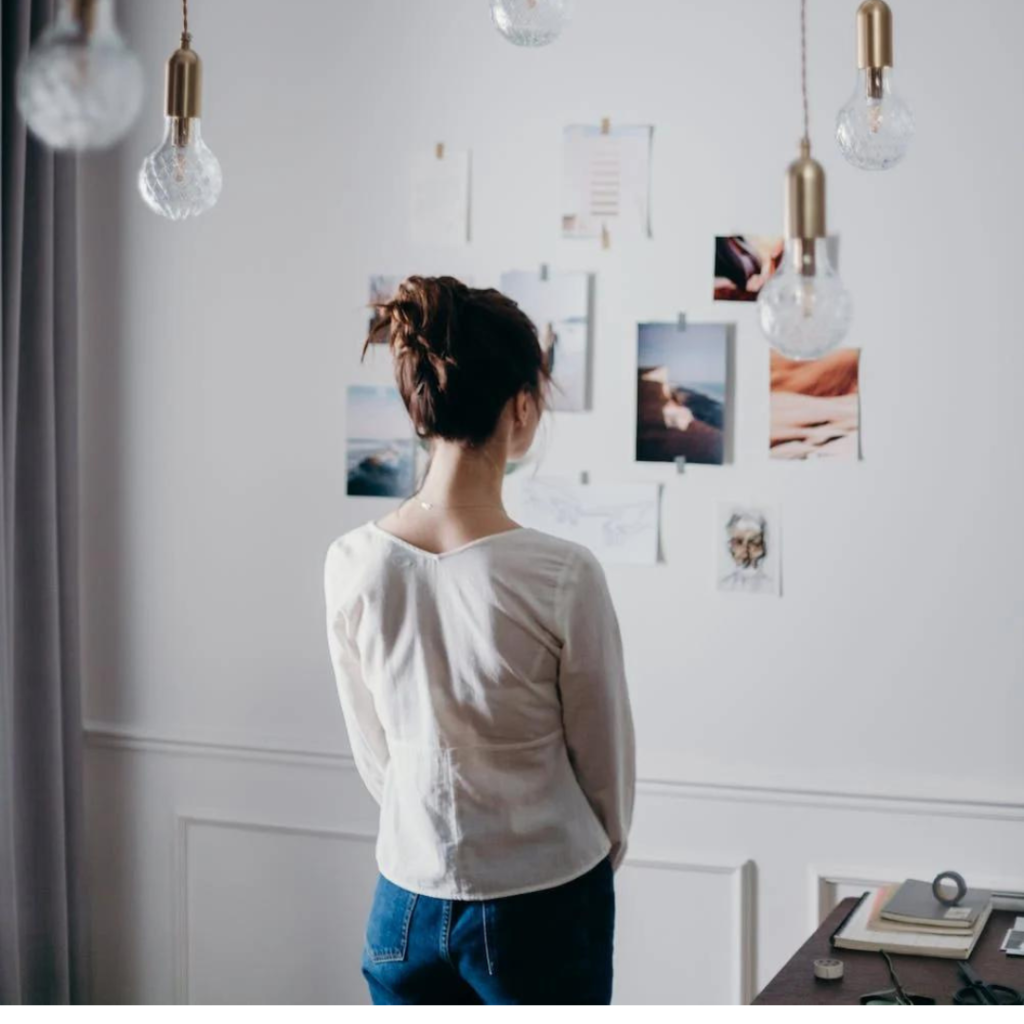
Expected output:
(237, 873)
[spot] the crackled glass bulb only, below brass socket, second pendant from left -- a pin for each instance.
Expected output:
(182, 178)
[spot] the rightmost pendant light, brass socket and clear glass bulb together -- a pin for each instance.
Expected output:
(875, 129)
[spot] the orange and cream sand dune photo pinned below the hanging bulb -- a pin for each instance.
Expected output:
(816, 407)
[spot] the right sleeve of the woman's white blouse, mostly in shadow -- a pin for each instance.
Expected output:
(596, 714)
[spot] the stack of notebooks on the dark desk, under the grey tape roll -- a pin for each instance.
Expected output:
(908, 919)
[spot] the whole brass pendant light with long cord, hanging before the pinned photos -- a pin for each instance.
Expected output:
(805, 310)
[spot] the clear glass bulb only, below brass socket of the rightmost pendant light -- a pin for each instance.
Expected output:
(875, 129)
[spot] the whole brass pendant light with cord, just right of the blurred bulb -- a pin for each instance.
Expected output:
(182, 178)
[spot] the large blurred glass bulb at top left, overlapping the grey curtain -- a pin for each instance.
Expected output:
(80, 88)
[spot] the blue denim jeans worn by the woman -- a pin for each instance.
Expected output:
(550, 947)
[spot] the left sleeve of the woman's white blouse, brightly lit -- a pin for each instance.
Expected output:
(366, 735)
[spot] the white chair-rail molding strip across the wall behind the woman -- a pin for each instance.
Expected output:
(103, 736)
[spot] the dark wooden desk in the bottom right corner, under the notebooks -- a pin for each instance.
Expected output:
(796, 984)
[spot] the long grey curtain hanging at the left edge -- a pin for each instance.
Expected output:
(42, 925)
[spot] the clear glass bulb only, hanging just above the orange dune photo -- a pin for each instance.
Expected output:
(805, 309)
